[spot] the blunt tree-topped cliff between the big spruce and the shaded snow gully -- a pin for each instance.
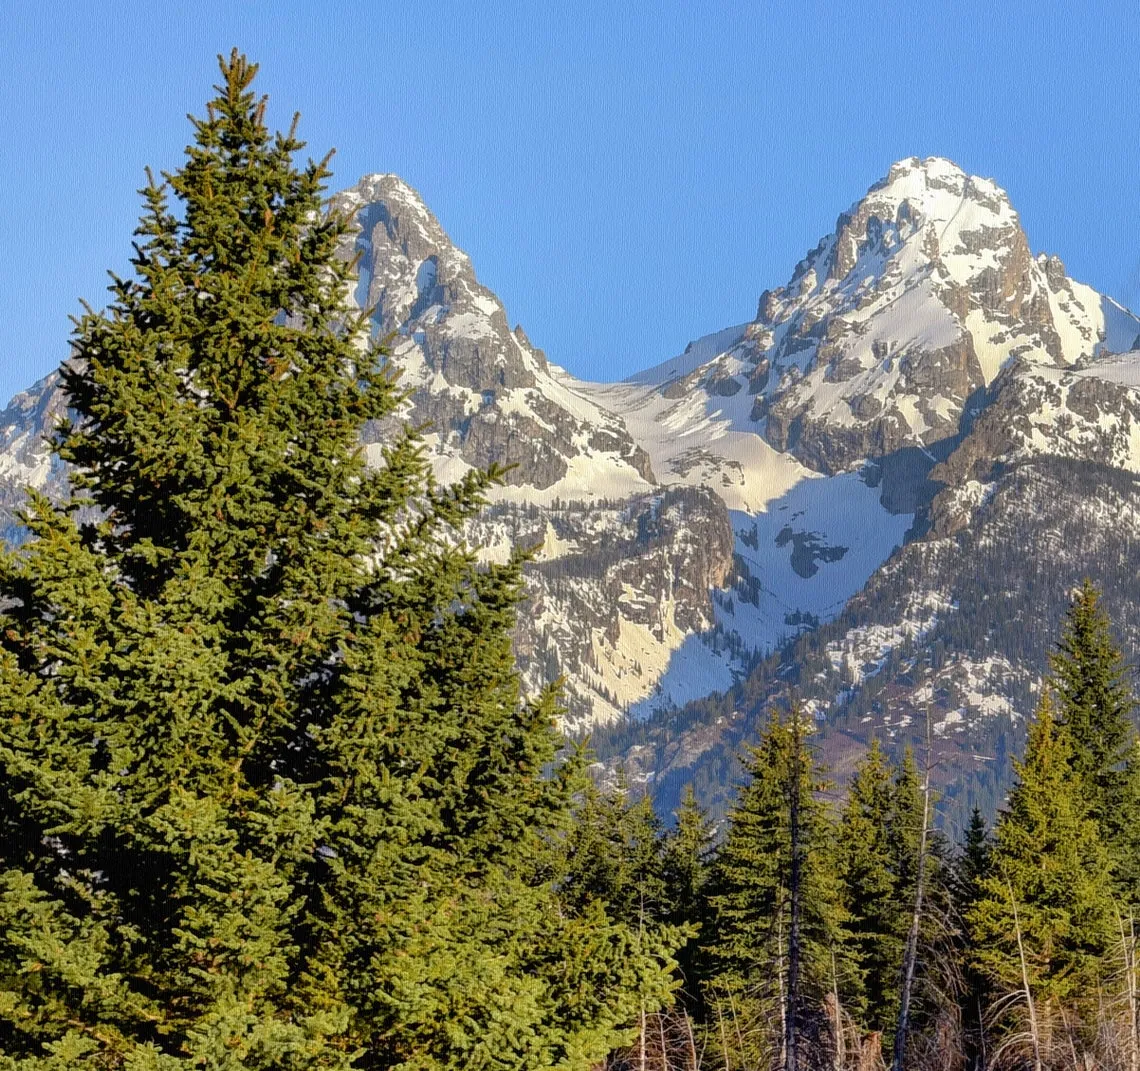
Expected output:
(620, 602)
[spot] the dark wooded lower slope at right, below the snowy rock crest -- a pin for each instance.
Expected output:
(957, 627)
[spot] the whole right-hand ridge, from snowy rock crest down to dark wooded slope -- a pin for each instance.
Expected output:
(1041, 491)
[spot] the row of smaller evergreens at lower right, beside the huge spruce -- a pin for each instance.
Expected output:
(842, 931)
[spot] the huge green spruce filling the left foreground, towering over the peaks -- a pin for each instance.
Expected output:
(270, 797)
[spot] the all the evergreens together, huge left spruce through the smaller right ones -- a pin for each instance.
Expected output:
(272, 799)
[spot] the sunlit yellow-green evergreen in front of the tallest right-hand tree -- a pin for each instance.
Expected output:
(1044, 916)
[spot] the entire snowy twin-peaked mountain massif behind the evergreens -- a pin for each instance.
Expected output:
(856, 494)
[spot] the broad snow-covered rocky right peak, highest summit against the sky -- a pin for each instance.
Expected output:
(924, 293)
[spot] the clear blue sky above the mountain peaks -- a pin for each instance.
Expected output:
(626, 177)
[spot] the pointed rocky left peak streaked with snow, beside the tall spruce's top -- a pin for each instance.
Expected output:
(487, 394)
